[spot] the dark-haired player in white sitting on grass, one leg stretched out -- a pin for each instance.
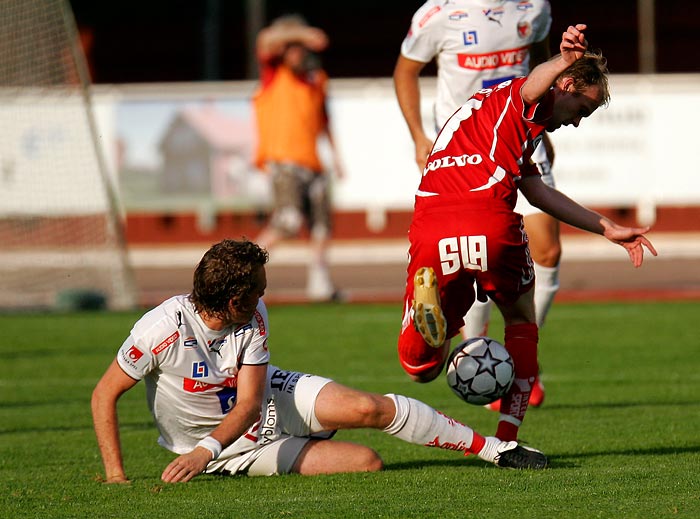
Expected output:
(219, 404)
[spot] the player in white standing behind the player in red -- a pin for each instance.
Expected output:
(478, 44)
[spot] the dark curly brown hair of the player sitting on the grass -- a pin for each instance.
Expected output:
(225, 273)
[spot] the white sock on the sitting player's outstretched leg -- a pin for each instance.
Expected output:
(416, 422)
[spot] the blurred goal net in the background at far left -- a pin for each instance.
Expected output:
(61, 239)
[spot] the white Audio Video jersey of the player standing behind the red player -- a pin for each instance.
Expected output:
(478, 43)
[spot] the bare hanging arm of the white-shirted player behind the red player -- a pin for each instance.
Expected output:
(407, 87)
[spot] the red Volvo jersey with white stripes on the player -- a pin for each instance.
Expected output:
(485, 147)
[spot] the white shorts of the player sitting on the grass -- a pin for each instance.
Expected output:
(287, 425)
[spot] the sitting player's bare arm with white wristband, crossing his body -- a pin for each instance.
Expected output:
(251, 388)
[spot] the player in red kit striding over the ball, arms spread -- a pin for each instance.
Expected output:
(464, 227)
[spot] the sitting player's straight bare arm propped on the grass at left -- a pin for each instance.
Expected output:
(113, 384)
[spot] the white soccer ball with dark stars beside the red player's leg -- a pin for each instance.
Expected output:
(480, 370)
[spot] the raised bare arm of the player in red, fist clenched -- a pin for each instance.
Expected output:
(573, 46)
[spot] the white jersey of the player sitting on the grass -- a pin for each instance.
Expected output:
(191, 371)
